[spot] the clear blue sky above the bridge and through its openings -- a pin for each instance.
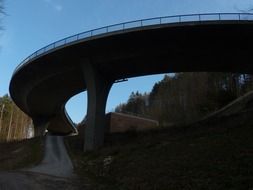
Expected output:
(32, 24)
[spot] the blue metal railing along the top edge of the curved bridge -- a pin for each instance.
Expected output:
(137, 24)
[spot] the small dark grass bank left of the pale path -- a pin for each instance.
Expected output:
(21, 154)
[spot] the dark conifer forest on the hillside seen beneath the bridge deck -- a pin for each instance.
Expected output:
(186, 97)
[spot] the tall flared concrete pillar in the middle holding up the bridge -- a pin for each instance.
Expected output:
(98, 88)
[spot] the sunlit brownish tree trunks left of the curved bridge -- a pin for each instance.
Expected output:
(14, 124)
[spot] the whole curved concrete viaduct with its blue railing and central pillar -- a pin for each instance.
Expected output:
(43, 83)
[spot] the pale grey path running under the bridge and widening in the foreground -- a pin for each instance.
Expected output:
(54, 172)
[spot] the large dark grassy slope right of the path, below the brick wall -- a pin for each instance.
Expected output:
(213, 154)
